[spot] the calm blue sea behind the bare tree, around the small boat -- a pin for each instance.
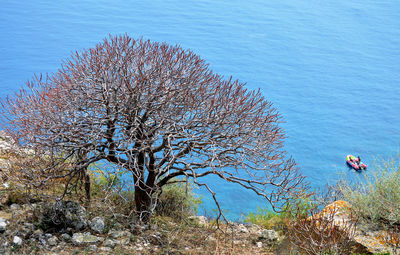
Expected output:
(332, 68)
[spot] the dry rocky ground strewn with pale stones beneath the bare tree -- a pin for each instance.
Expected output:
(22, 232)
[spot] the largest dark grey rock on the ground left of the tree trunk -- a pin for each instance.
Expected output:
(63, 214)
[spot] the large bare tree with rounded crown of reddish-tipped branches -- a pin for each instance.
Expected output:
(155, 110)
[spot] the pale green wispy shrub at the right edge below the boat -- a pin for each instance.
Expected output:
(378, 198)
